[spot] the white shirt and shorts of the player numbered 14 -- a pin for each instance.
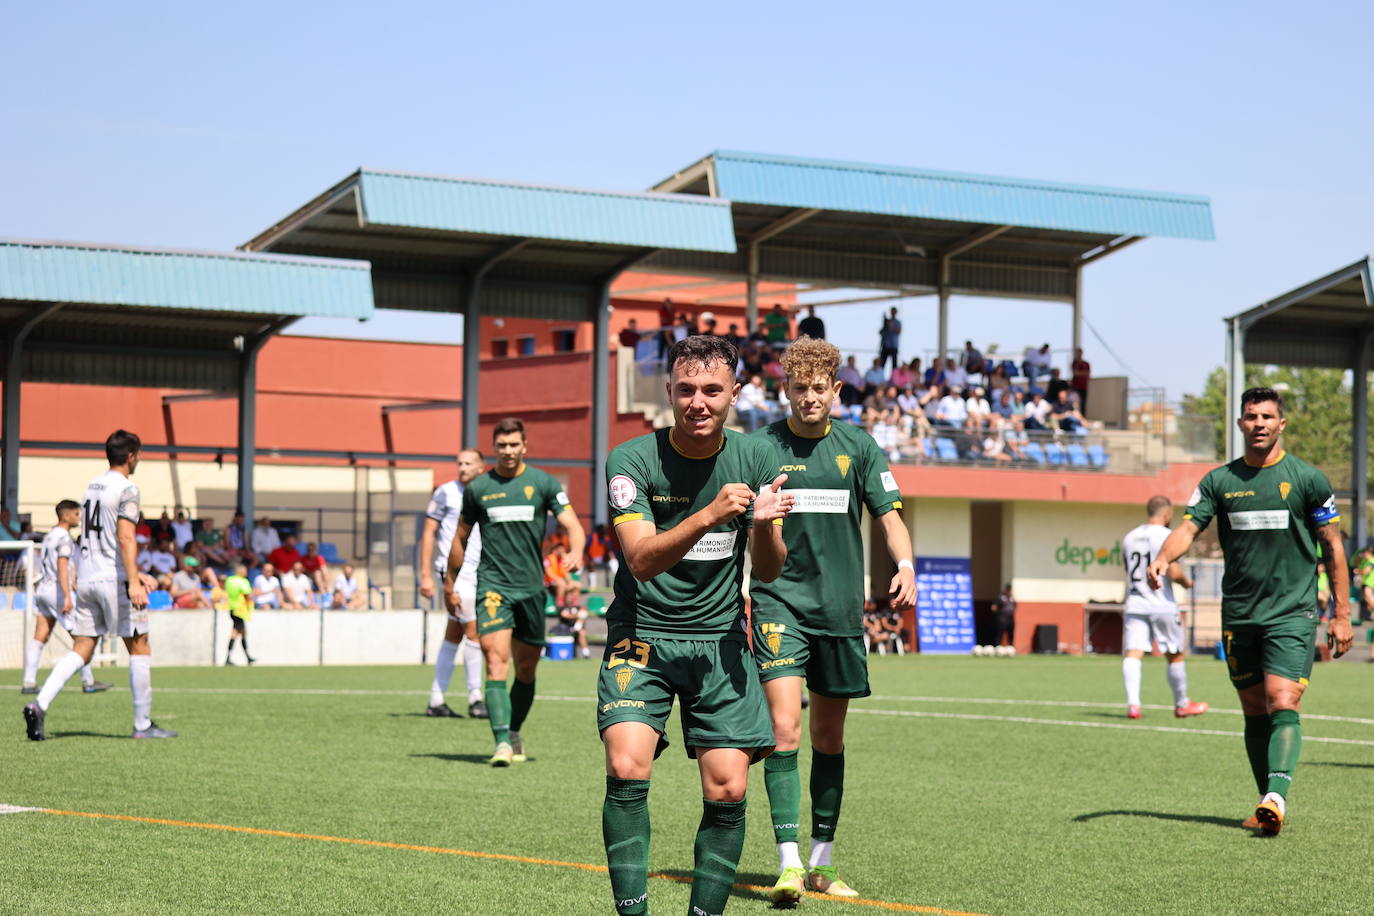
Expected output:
(102, 586)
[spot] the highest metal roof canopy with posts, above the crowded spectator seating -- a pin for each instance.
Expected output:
(917, 231)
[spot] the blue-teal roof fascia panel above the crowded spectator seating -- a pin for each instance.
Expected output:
(774, 181)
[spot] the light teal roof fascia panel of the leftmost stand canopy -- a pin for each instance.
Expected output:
(177, 279)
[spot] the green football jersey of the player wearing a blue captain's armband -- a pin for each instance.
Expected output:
(1266, 520)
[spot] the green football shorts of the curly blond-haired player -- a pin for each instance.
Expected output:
(833, 665)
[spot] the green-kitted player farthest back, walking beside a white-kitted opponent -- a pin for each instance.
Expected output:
(510, 503)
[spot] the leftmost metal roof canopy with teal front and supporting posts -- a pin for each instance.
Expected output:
(115, 315)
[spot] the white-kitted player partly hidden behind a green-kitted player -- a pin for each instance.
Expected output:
(461, 637)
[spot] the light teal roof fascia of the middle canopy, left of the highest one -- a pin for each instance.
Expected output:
(537, 212)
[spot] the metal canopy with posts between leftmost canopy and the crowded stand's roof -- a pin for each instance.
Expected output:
(498, 248)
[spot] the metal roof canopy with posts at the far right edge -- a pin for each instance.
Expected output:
(1328, 323)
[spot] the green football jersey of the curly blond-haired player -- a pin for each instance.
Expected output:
(833, 477)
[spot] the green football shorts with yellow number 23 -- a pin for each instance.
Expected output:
(717, 683)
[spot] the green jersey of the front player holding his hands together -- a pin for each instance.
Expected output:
(700, 597)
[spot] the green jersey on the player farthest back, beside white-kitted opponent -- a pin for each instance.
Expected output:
(512, 513)
